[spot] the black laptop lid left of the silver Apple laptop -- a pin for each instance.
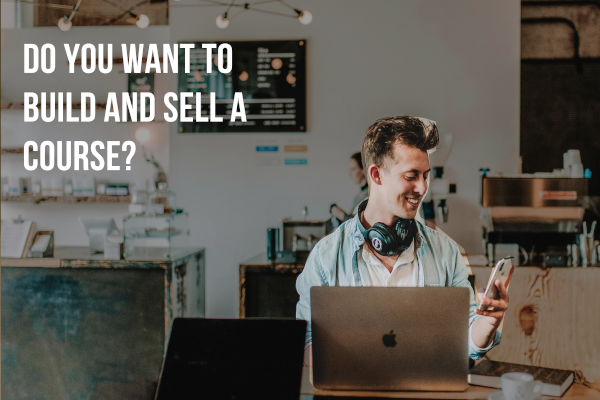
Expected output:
(233, 359)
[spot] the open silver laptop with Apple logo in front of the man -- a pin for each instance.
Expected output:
(380, 338)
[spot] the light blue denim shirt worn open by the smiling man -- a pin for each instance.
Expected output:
(438, 258)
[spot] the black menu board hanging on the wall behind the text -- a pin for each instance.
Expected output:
(271, 75)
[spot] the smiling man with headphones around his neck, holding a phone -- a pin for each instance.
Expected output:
(395, 153)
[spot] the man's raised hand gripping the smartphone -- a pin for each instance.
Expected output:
(484, 328)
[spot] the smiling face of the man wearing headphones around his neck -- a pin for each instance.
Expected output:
(404, 180)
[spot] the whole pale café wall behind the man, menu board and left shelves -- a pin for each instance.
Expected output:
(456, 62)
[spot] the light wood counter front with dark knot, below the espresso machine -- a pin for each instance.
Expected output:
(553, 319)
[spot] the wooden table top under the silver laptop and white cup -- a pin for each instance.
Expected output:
(575, 392)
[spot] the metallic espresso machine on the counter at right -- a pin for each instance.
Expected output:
(541, 217)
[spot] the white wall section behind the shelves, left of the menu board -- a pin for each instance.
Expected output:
(63, 218)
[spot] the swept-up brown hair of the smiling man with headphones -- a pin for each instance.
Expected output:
(386, 132)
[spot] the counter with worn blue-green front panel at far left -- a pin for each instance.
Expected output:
(80, 326)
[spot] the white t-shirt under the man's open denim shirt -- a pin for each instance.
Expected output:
(404, 272)
